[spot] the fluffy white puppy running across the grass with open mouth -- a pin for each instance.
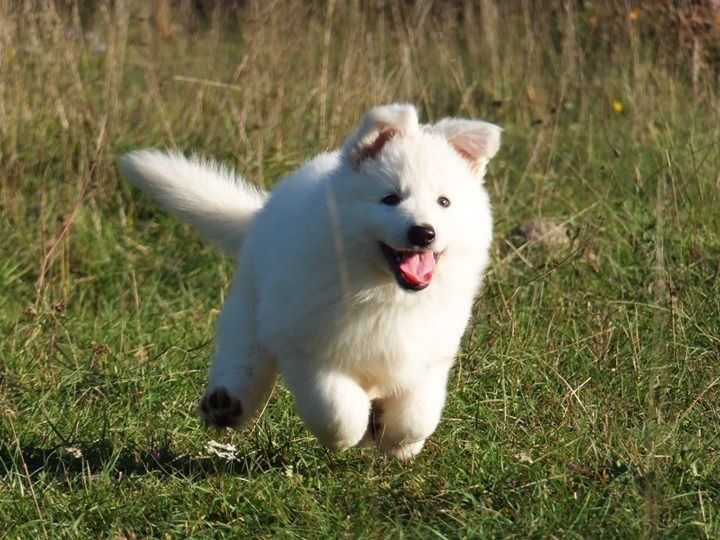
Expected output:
(356, 275)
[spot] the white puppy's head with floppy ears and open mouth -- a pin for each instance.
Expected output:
(417, 190)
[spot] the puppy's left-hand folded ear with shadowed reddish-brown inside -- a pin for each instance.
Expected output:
(380, 125)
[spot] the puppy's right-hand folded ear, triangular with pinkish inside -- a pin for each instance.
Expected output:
(474, 140)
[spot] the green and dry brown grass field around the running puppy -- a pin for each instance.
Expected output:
(585, 402)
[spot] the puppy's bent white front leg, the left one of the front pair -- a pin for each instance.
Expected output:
(332, 405)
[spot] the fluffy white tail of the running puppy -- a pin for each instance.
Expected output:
(205, 195)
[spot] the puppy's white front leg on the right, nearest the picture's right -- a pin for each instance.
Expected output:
(405, 420)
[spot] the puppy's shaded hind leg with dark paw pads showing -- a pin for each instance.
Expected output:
(242, 373)
